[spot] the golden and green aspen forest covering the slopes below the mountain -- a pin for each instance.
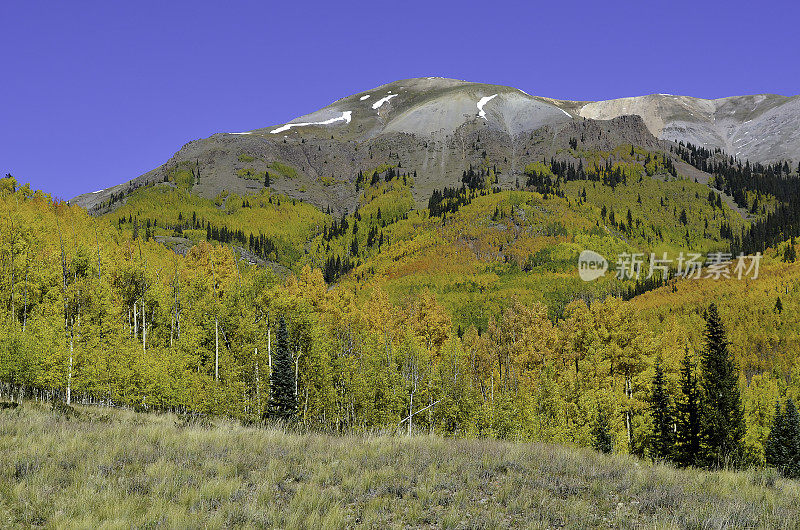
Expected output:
(476, 316)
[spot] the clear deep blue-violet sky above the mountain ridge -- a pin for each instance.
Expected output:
(95, 93)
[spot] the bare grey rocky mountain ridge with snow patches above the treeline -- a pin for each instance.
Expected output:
(436, 127)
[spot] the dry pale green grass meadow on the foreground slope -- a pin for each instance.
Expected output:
(118, 469)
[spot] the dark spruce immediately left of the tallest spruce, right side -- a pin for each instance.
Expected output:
(687, 438)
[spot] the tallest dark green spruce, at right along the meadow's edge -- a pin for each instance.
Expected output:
(722, 416)
